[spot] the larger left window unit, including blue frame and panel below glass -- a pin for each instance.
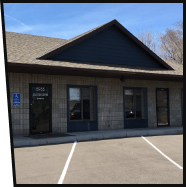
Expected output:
(81, 108)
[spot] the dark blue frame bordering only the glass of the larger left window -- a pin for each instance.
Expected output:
(81, 86)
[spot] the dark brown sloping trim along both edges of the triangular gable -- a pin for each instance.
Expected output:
(123, 30)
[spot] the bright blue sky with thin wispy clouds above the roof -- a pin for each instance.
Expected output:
(67, 20)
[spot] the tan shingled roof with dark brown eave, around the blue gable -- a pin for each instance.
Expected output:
(22, 50)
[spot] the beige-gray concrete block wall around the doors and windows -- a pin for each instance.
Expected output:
(109, 98)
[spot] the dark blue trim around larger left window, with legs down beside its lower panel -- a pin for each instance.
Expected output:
(81, 121)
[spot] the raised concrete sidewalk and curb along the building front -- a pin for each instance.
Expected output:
(22, 141)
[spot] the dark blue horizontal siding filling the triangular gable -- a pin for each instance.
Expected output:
(108, 46)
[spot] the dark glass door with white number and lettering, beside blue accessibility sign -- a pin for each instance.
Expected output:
(40, 108)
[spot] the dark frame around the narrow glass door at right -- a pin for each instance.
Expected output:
(168, 113)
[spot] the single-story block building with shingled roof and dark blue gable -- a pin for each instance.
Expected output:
(102, 79)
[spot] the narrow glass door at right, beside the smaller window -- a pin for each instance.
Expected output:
(162, 105)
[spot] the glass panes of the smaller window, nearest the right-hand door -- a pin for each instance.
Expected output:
(135, 103)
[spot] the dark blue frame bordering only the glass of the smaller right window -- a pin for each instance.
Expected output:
(135, 88)
